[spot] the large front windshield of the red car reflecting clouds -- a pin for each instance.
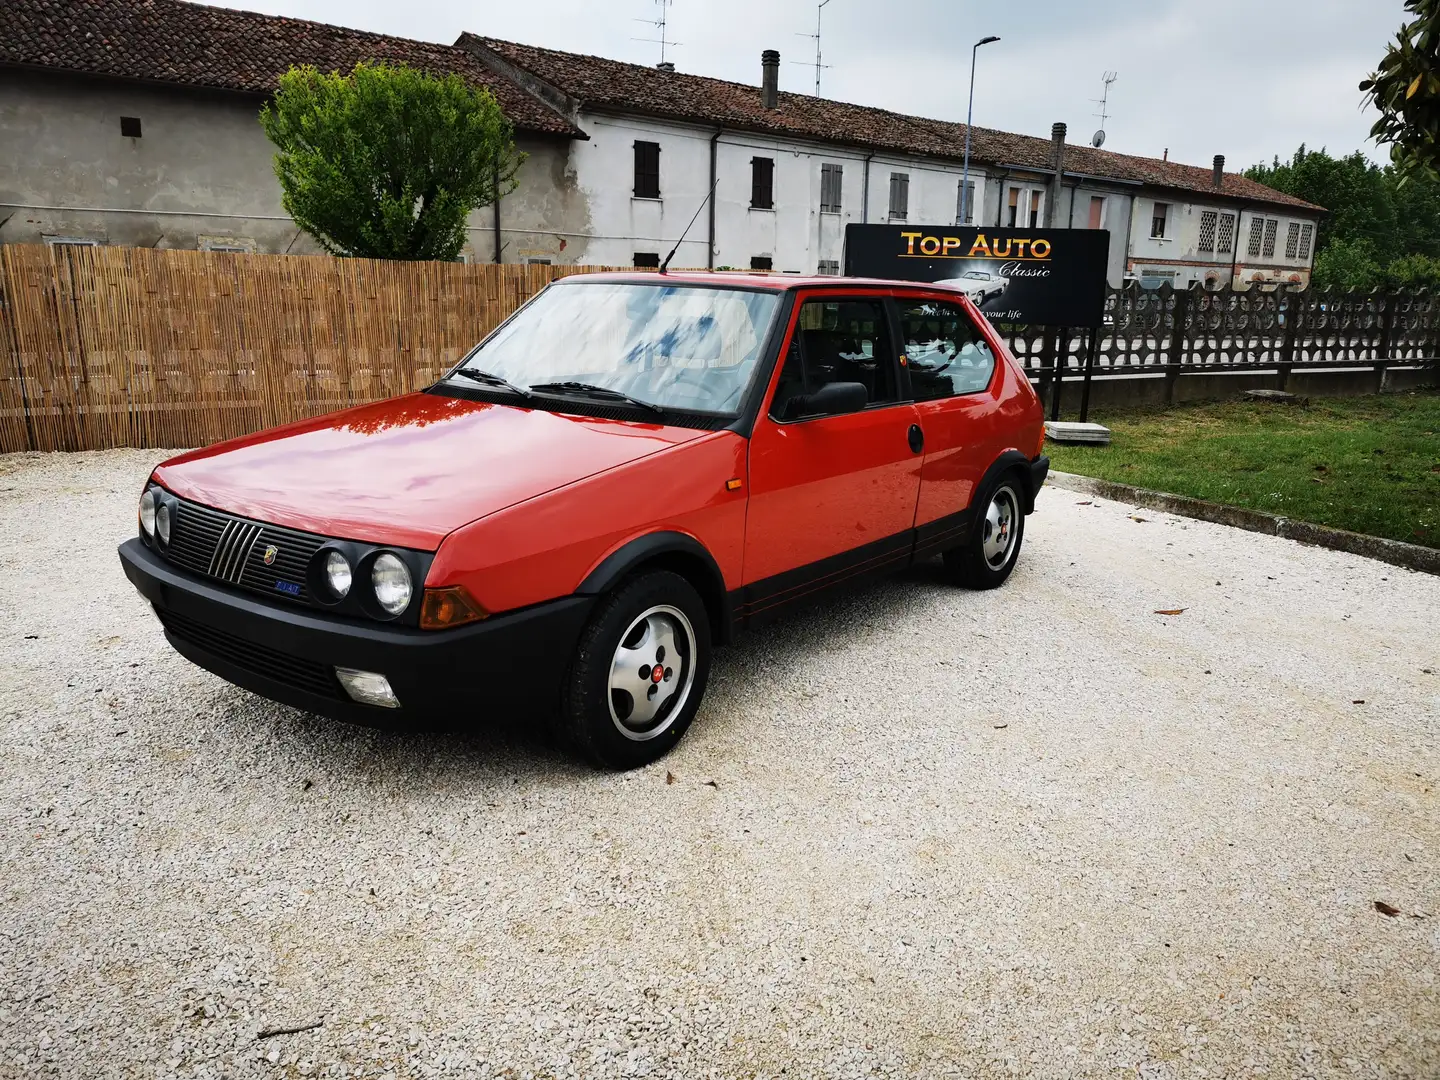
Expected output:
(686, 349)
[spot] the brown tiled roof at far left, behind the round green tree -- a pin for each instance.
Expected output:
(168, 41)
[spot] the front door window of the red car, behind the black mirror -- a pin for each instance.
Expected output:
(837, 342)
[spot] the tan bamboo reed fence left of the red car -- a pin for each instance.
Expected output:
(142, 348)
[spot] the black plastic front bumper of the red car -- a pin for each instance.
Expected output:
(290, 654)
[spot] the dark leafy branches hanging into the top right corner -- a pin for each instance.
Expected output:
(1406, 90)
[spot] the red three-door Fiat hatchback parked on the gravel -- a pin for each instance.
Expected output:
(624, 474)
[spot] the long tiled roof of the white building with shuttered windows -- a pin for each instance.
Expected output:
(634, 89)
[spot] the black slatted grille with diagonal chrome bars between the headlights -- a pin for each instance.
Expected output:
(233, 549)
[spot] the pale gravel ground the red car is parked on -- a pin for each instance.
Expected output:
(921, 833)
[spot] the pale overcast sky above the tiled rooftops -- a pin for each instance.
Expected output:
(1242, 78)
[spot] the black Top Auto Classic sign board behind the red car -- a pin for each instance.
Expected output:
(1043, 277)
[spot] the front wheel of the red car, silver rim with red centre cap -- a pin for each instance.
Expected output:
(618, 711)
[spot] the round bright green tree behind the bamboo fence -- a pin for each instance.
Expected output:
(388, 162)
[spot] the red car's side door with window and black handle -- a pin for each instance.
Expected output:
(833, 498)
